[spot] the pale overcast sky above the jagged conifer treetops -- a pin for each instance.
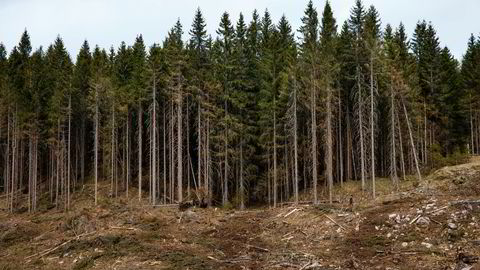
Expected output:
(108, 22)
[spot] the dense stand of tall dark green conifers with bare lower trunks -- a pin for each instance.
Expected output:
(257, 113)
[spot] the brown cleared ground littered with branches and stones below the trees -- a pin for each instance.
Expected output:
(433, 225)
